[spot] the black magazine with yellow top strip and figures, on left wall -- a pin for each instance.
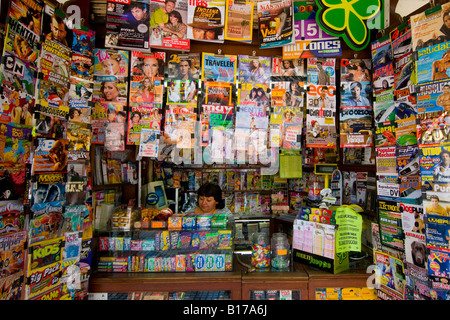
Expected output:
(50, 119)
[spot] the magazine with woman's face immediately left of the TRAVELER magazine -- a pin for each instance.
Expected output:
(184, 66)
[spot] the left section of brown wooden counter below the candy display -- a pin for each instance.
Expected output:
(101, 282)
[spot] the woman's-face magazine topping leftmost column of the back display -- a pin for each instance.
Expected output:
(109, 62)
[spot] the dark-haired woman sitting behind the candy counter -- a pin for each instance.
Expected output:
(209, 200)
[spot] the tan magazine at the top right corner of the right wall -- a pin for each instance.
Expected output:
(427, 27)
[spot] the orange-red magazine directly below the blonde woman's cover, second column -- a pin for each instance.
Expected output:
(145, 89)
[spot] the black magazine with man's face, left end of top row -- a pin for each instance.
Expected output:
(127, 25)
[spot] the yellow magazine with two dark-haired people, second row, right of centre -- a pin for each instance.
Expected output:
(254, 94)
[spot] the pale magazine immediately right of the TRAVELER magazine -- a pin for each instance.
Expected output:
(254, 69)
